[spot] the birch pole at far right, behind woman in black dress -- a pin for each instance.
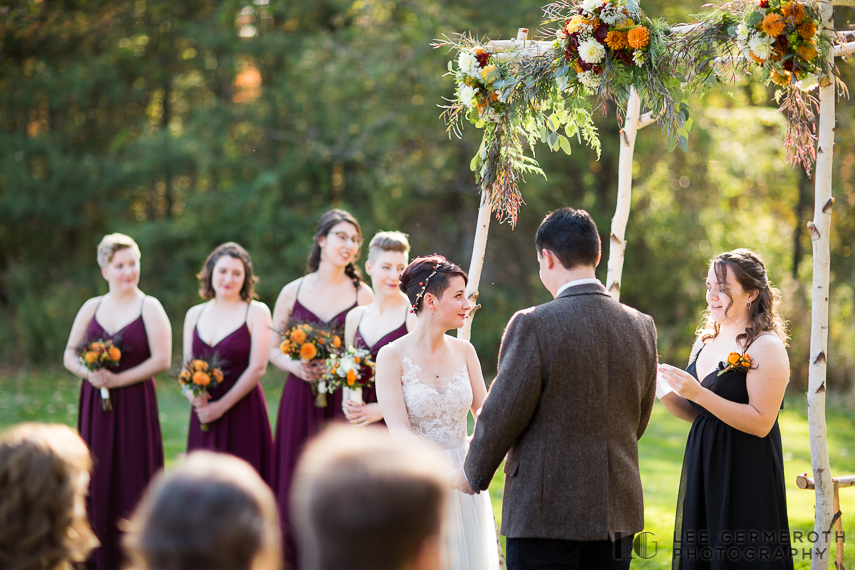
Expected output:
(820, 229)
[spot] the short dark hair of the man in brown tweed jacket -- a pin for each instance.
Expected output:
(571, 235)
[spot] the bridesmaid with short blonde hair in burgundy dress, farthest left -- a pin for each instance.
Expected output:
(126, 445)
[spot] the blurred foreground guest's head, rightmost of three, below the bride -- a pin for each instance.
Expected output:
(363, 500)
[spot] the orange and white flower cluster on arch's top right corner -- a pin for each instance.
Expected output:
(781, 37)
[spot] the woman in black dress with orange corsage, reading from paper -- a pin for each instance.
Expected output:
(732, 507)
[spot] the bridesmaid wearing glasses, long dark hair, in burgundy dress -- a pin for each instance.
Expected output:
(331, 288)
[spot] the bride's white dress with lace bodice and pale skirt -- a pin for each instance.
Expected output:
(438, 414)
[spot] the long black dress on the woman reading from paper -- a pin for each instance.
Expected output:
(732, 504)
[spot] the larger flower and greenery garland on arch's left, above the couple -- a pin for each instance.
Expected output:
(548, 91)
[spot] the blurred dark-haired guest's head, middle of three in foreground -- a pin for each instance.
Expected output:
(211, 512)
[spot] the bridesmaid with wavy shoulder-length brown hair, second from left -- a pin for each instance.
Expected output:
(237, 330)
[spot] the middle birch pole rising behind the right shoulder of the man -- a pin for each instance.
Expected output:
(617, 243)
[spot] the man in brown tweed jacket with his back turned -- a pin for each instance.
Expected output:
(573, 395)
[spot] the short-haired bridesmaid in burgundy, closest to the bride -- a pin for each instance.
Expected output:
(388, 318)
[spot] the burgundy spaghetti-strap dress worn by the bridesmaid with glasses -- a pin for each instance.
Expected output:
(298, 421)
